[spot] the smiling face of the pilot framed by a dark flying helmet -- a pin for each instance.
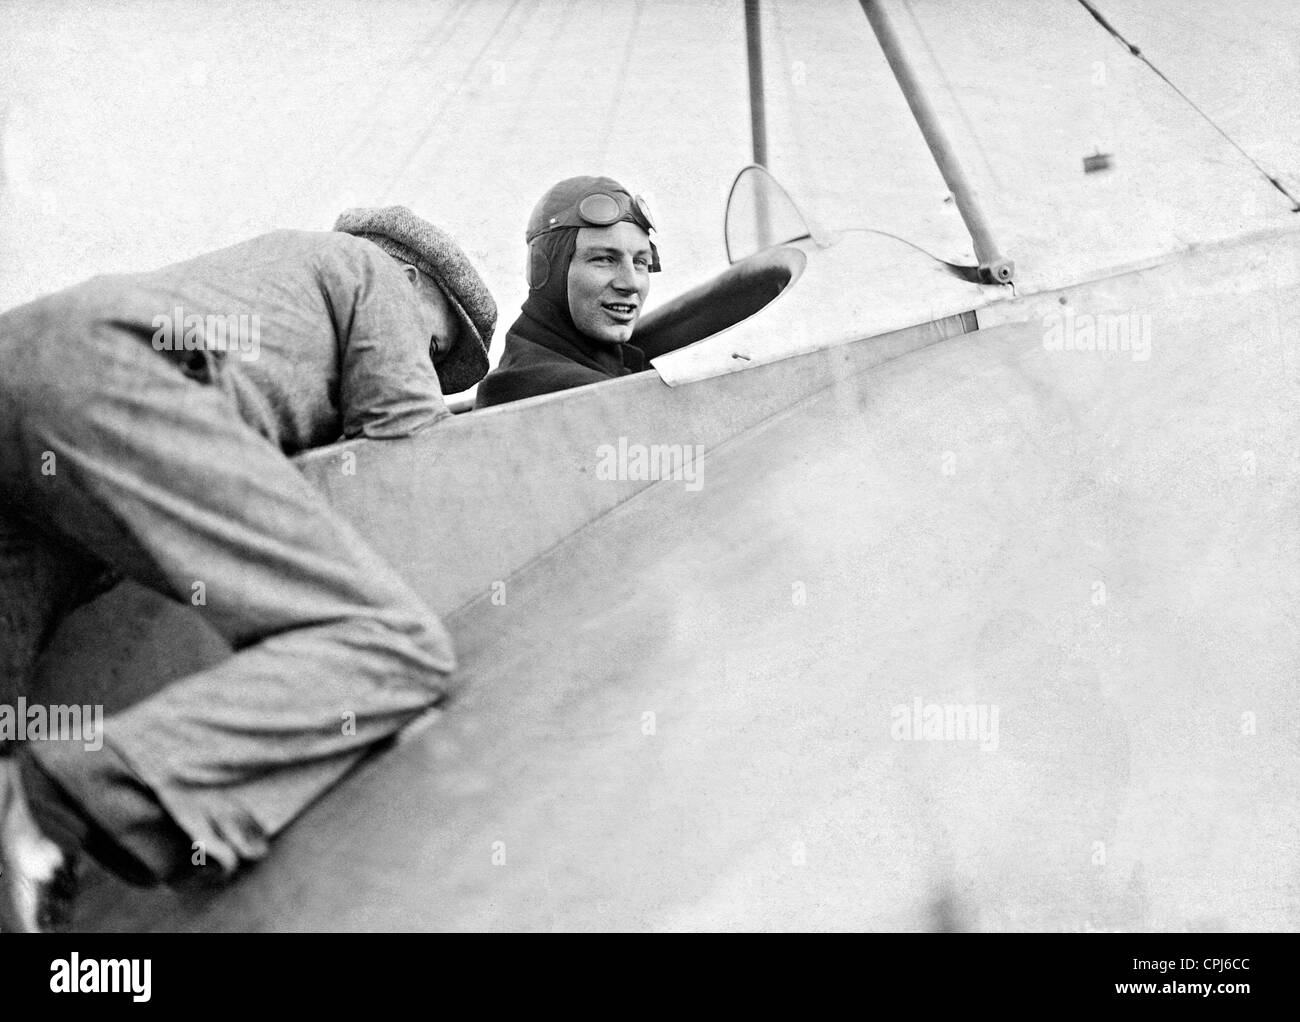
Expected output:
(609, 282)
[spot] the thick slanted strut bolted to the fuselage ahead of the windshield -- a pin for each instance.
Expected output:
(995, 269)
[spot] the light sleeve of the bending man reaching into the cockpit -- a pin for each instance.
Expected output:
(388, 383)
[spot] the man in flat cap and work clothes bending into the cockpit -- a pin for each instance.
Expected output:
(168, 465)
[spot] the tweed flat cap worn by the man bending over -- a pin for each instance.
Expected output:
(413, 240)
